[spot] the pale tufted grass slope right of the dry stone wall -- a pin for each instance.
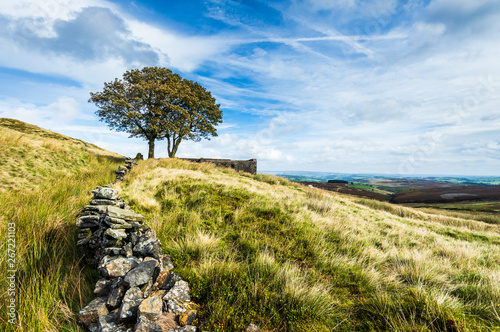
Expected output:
(290, 258)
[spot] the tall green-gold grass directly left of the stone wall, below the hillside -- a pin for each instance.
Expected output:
(51, 284)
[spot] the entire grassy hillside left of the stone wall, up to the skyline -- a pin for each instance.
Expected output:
(44, 182)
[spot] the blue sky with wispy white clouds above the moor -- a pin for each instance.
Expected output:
(345, 86)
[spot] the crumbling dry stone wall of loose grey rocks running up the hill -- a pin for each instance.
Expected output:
(137, 291)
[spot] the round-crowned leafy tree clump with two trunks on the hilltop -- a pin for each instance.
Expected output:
(155, 104)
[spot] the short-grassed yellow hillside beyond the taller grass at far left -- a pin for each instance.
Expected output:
(30, 154)
